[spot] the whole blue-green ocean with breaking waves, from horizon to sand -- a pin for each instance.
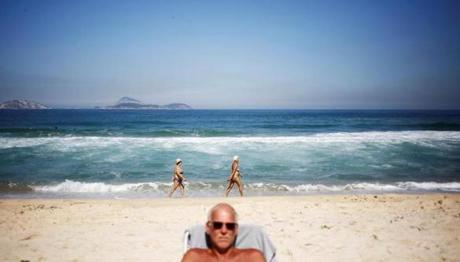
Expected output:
(131, 153)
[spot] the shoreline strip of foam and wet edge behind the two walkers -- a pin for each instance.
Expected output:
(147, 190)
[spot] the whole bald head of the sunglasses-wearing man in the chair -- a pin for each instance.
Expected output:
(222, 226)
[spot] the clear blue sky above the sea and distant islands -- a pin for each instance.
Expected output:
(233, 54)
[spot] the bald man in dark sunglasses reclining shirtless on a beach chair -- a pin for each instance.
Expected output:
(222, 229)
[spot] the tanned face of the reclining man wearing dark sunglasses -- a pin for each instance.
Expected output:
(222, 235)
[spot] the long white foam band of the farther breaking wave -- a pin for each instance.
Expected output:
(212, 144)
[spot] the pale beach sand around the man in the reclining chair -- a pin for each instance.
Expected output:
(303, 228)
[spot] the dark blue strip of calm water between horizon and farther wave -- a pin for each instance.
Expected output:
(158, 123)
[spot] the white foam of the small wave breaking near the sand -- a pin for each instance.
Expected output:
(70, 186)
